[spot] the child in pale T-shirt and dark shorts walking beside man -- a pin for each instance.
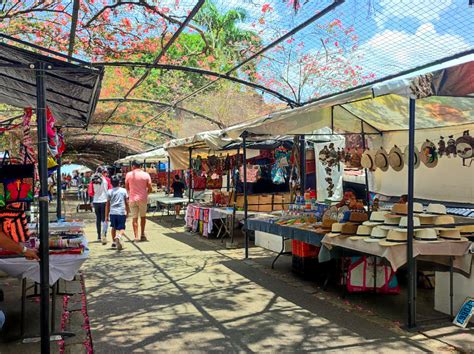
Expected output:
(117, 211)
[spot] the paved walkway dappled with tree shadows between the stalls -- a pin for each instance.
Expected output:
(178, 293)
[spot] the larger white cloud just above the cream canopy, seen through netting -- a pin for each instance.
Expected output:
(391, 51)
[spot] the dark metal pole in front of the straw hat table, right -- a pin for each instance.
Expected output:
(411, 178)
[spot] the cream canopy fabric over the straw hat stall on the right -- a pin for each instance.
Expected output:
(380, 107)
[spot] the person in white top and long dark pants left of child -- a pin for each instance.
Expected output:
(98, 188)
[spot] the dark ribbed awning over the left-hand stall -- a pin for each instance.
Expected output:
(71, 90)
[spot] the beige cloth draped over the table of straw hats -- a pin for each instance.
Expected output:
(439, 252)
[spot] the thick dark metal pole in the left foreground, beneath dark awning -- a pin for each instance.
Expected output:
(43, 205)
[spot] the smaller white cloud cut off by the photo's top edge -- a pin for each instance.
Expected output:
(422, 10)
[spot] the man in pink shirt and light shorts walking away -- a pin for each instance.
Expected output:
(138, 185)
